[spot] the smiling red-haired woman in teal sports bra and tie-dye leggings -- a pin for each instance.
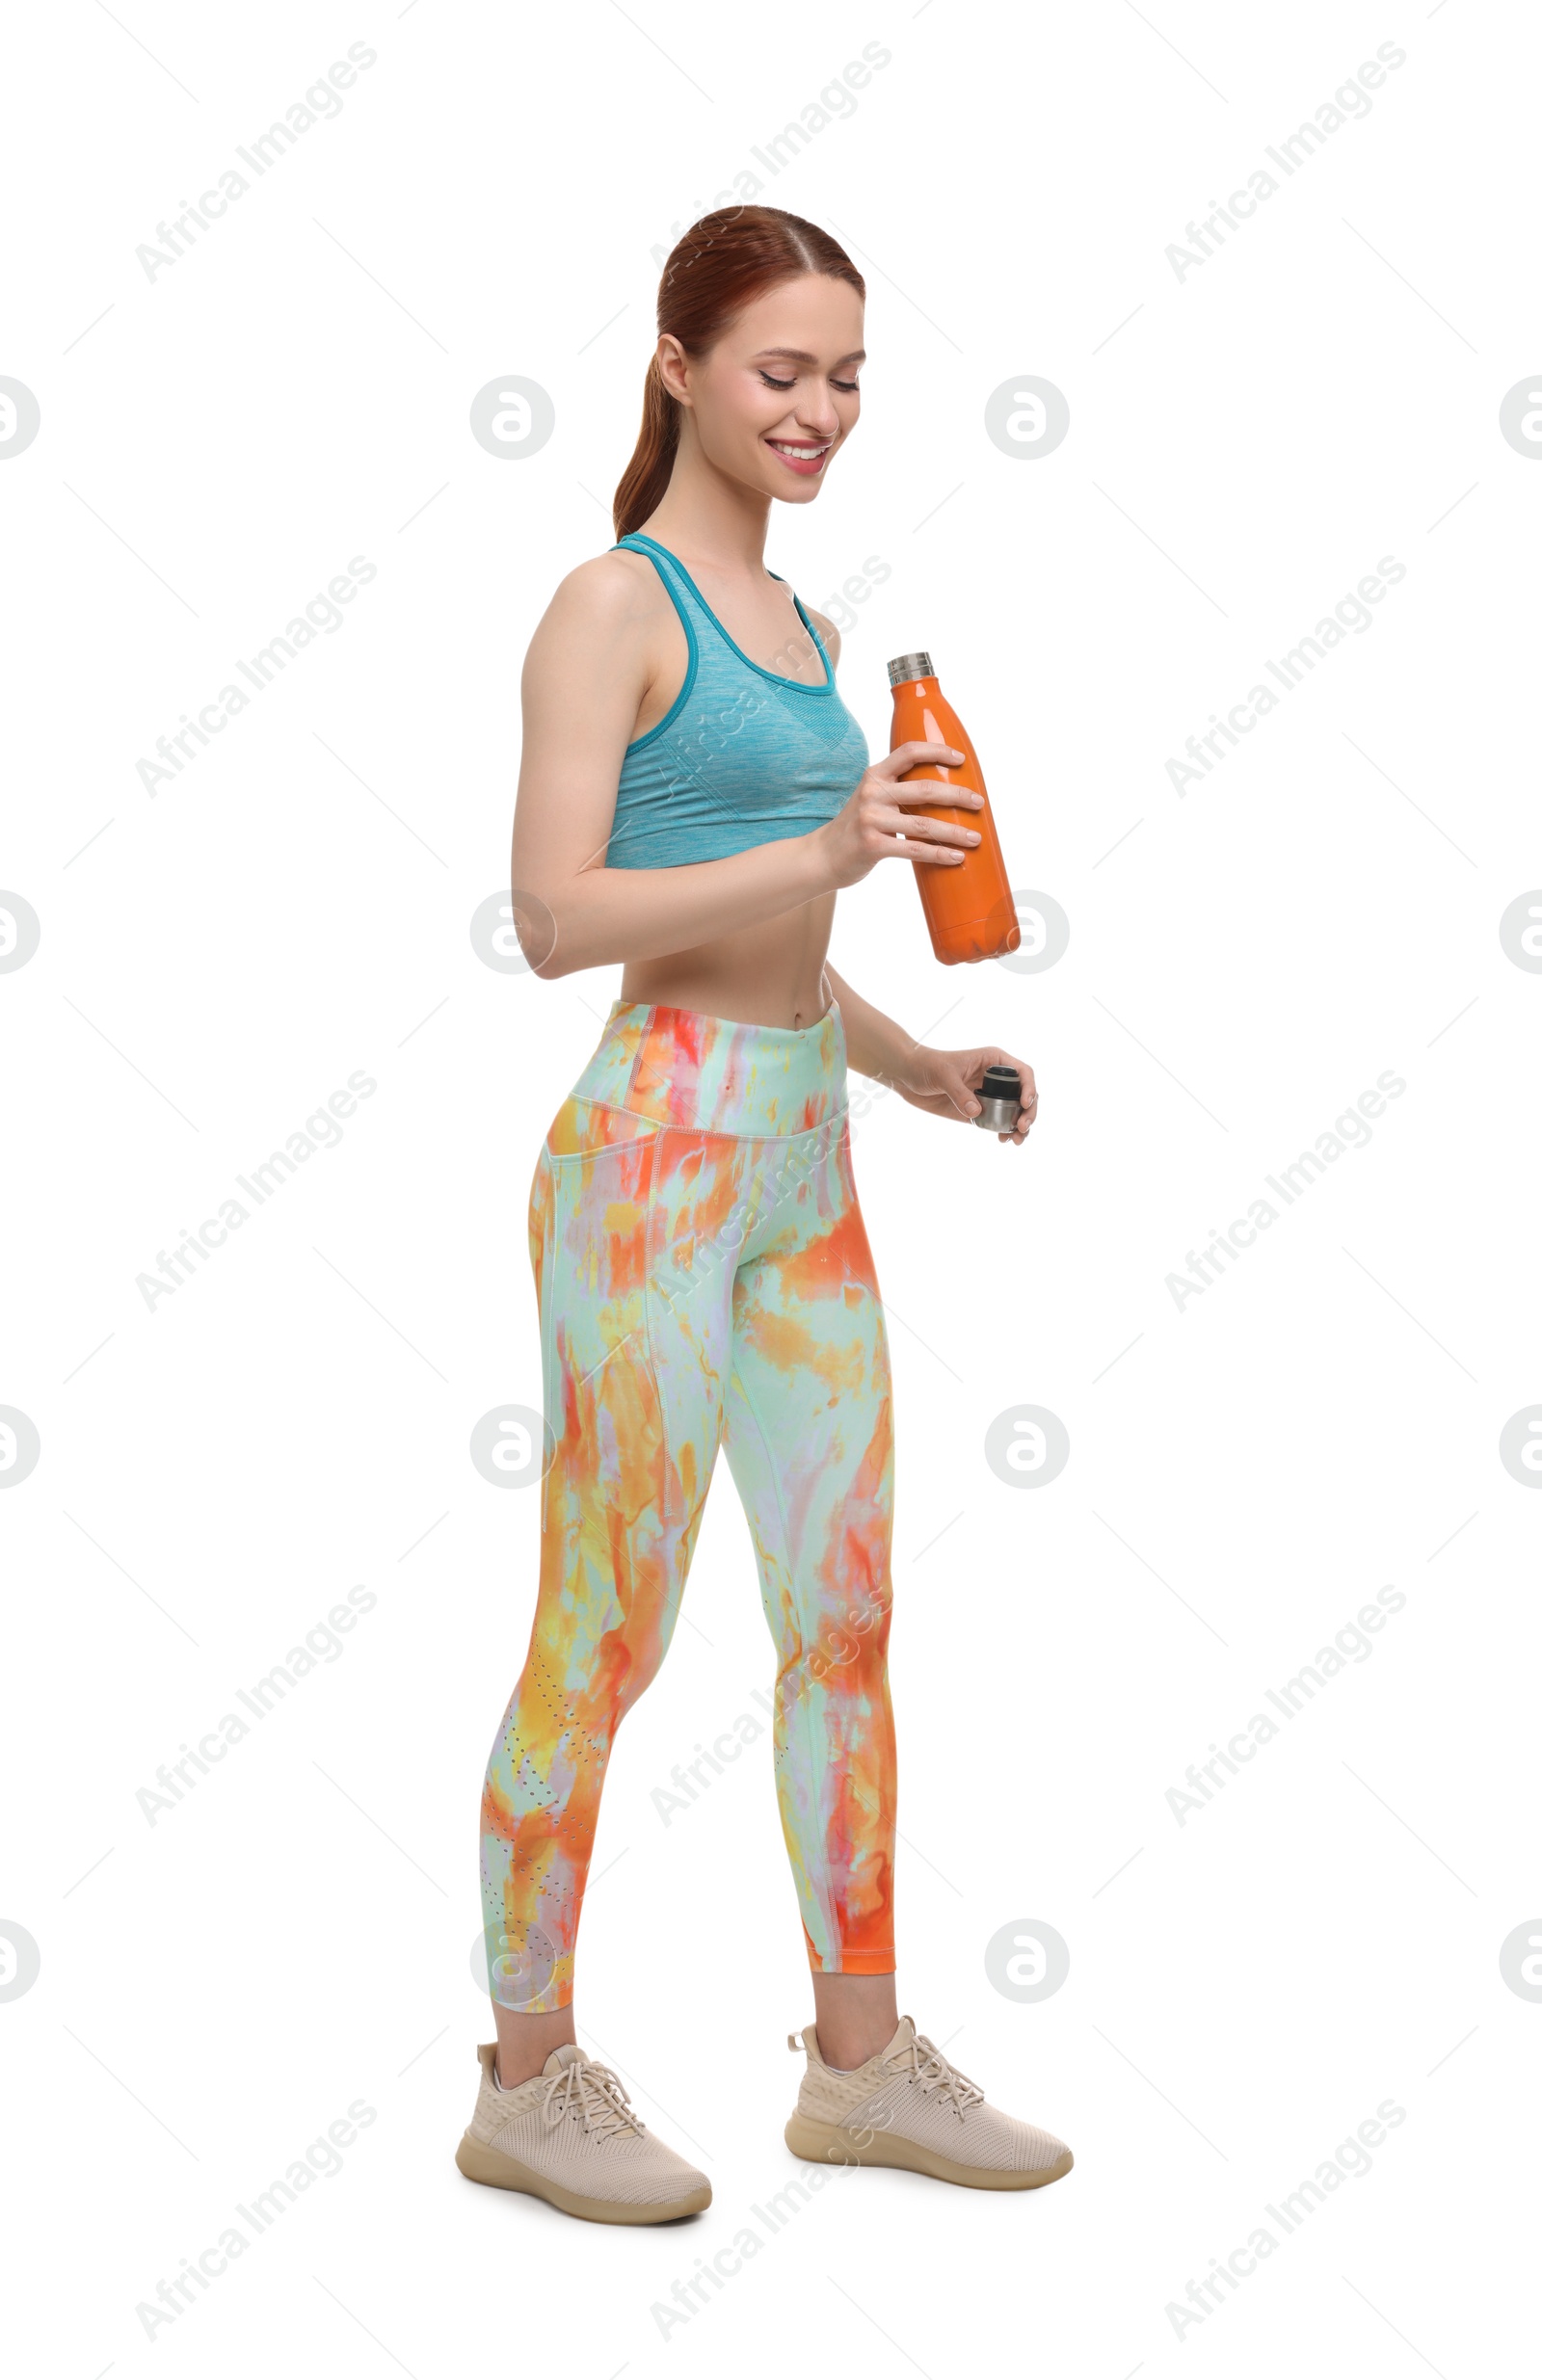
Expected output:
(691, 801)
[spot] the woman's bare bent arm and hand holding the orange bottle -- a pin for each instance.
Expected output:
(584, 682)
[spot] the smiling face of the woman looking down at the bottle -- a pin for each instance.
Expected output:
(777, 396)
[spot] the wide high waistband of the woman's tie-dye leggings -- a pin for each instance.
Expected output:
(717, 1075)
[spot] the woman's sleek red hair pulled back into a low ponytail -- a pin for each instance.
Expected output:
(722, 265)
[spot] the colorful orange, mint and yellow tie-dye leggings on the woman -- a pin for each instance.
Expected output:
(703, 1279)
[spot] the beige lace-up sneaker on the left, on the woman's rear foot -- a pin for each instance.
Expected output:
(572, 2138)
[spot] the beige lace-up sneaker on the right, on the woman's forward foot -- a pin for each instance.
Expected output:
(910, 2107)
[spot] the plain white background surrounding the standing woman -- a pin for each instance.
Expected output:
(1246, 1470)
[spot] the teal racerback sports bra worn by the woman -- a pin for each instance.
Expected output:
(741, 758)
